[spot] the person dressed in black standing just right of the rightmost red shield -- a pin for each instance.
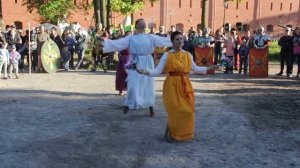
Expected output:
(286, 44)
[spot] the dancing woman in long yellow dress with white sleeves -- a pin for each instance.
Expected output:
(178, 94)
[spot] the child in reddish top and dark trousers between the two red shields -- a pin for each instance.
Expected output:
(230, 46)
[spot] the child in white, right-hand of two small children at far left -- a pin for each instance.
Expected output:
(14, 58)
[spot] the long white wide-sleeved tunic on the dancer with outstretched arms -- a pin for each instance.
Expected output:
(140, 88)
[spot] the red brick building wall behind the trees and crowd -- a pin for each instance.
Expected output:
(184, 14)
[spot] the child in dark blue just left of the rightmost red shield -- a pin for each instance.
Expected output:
(244, 52)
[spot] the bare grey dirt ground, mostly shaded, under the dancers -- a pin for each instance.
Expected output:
(74, 119)
